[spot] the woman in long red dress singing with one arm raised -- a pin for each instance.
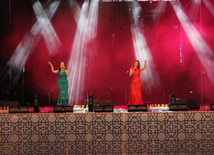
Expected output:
(136, 84)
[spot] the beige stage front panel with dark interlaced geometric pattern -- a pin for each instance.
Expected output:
(107, 133)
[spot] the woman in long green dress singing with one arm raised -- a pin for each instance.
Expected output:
(62, 83)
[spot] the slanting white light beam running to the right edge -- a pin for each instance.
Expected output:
(203, 51)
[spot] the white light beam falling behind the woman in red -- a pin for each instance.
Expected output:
(149, 75)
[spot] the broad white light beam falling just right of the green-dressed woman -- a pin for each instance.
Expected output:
(85, 33)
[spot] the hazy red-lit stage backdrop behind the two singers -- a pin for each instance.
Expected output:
(99, 46)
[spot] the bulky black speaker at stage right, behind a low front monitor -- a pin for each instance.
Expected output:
(191, 103)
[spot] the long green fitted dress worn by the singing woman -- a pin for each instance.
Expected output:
(63, 89)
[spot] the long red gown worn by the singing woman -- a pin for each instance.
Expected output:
(136, 91)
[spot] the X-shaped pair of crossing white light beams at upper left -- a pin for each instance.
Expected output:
(28, 43)
